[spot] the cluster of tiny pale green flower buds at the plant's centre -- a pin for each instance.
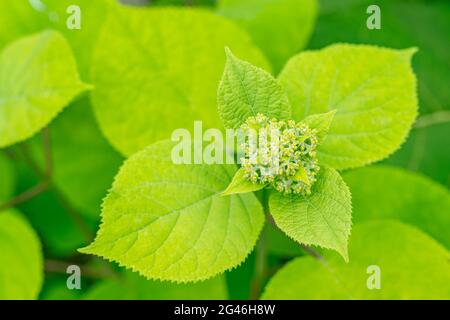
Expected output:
(280, 153)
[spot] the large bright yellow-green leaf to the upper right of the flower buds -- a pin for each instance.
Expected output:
(373, 90)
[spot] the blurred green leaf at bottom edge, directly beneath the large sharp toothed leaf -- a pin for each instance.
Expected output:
(134, 287)
